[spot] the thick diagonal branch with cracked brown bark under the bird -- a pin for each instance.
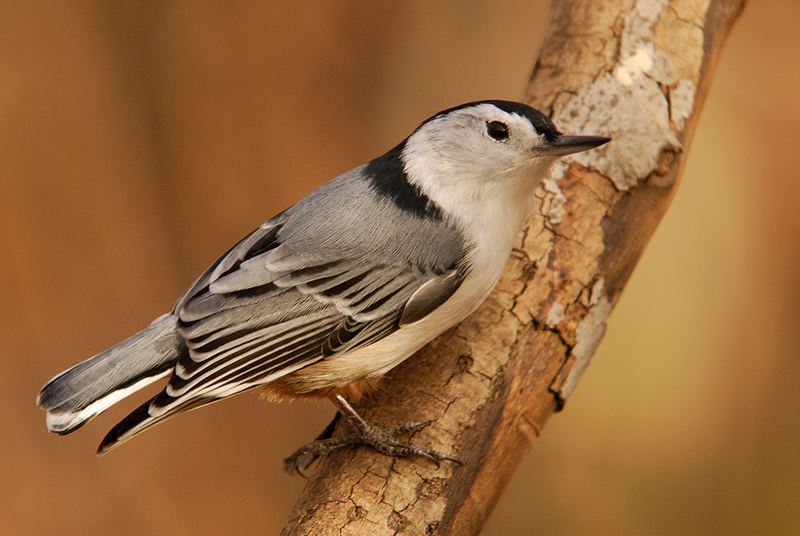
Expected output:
(638, 70)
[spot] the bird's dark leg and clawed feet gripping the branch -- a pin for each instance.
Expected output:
(361, 433)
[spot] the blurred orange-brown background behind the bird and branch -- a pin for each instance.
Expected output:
(138, 140)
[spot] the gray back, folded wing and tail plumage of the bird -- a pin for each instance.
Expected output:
(291, 293)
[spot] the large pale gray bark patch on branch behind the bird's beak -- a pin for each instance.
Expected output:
(633, 103)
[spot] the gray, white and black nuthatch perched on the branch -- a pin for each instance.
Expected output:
(327, 296)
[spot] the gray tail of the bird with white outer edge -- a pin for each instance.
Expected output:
(78, 394)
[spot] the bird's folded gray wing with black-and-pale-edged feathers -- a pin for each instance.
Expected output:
(278, 301)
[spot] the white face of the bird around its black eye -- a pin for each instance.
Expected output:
(476, 144)
